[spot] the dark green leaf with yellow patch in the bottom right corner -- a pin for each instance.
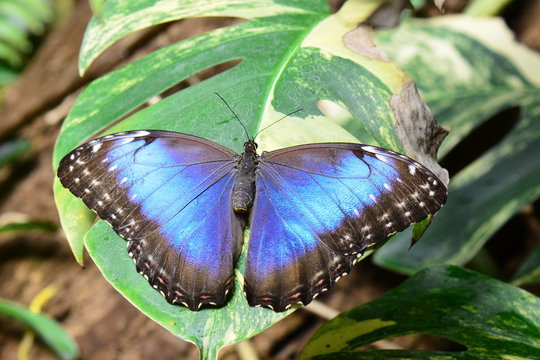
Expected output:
(492, 319)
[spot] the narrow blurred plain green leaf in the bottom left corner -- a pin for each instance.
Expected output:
(48, 329)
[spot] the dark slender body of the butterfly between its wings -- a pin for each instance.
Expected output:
(244, 186)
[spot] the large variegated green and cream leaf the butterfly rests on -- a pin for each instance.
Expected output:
(292, 55)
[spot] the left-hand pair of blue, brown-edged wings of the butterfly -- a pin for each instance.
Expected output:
(169, 196)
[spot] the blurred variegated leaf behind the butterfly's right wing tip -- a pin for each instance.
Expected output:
(467, 70)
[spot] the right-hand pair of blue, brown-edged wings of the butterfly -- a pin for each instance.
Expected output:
(318, 207)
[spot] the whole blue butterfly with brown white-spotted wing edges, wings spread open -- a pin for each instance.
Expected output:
(182, 203)
